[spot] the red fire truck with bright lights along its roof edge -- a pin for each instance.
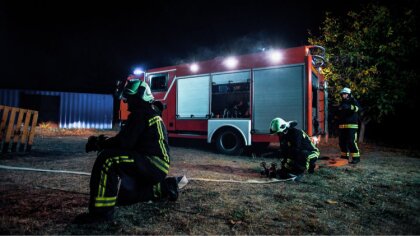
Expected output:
(230, 101)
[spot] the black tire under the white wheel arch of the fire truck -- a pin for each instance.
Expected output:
(229, 142)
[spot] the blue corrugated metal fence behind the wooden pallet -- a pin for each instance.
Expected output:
(69, 110)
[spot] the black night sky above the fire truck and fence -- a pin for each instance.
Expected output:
(85, 47)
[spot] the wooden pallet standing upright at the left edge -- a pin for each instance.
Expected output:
(17, 126)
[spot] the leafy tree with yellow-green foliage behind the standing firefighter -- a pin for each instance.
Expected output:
(371, 52)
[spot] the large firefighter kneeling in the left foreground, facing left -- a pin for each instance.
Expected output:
(132, 166)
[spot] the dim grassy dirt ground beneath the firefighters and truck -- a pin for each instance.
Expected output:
(378, 196)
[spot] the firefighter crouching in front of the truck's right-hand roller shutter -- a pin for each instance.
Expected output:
(298, 152)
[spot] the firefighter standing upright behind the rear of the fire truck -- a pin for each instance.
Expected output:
(348, 119)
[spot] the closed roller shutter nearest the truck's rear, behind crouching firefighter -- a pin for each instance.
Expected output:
(278, 92)
